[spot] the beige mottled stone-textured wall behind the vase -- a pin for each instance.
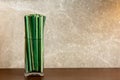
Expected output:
(78, 33)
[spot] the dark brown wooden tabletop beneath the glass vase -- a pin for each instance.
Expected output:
(64, 74)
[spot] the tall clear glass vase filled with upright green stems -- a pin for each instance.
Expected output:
(34, 44)
